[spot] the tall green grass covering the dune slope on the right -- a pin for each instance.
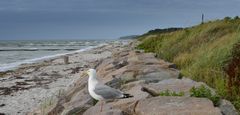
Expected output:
(209, 52)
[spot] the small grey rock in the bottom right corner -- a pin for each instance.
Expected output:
(227, 108)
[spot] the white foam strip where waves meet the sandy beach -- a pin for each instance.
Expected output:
(10, 66)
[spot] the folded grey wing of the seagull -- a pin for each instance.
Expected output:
(107, 92)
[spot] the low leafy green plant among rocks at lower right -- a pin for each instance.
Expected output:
(203, 91)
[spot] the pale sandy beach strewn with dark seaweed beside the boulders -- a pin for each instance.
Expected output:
(32, 85)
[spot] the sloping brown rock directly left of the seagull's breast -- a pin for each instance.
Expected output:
(75, 100)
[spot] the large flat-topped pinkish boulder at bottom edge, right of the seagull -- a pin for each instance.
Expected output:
(176, 106)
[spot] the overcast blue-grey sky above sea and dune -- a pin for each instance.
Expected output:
(103, 19)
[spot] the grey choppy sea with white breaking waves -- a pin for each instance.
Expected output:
(16, 52)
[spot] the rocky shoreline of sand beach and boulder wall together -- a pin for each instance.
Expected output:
(119, 66)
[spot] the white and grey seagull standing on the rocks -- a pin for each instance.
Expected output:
(102, 92)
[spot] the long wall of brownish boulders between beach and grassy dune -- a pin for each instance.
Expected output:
(143, 76)
